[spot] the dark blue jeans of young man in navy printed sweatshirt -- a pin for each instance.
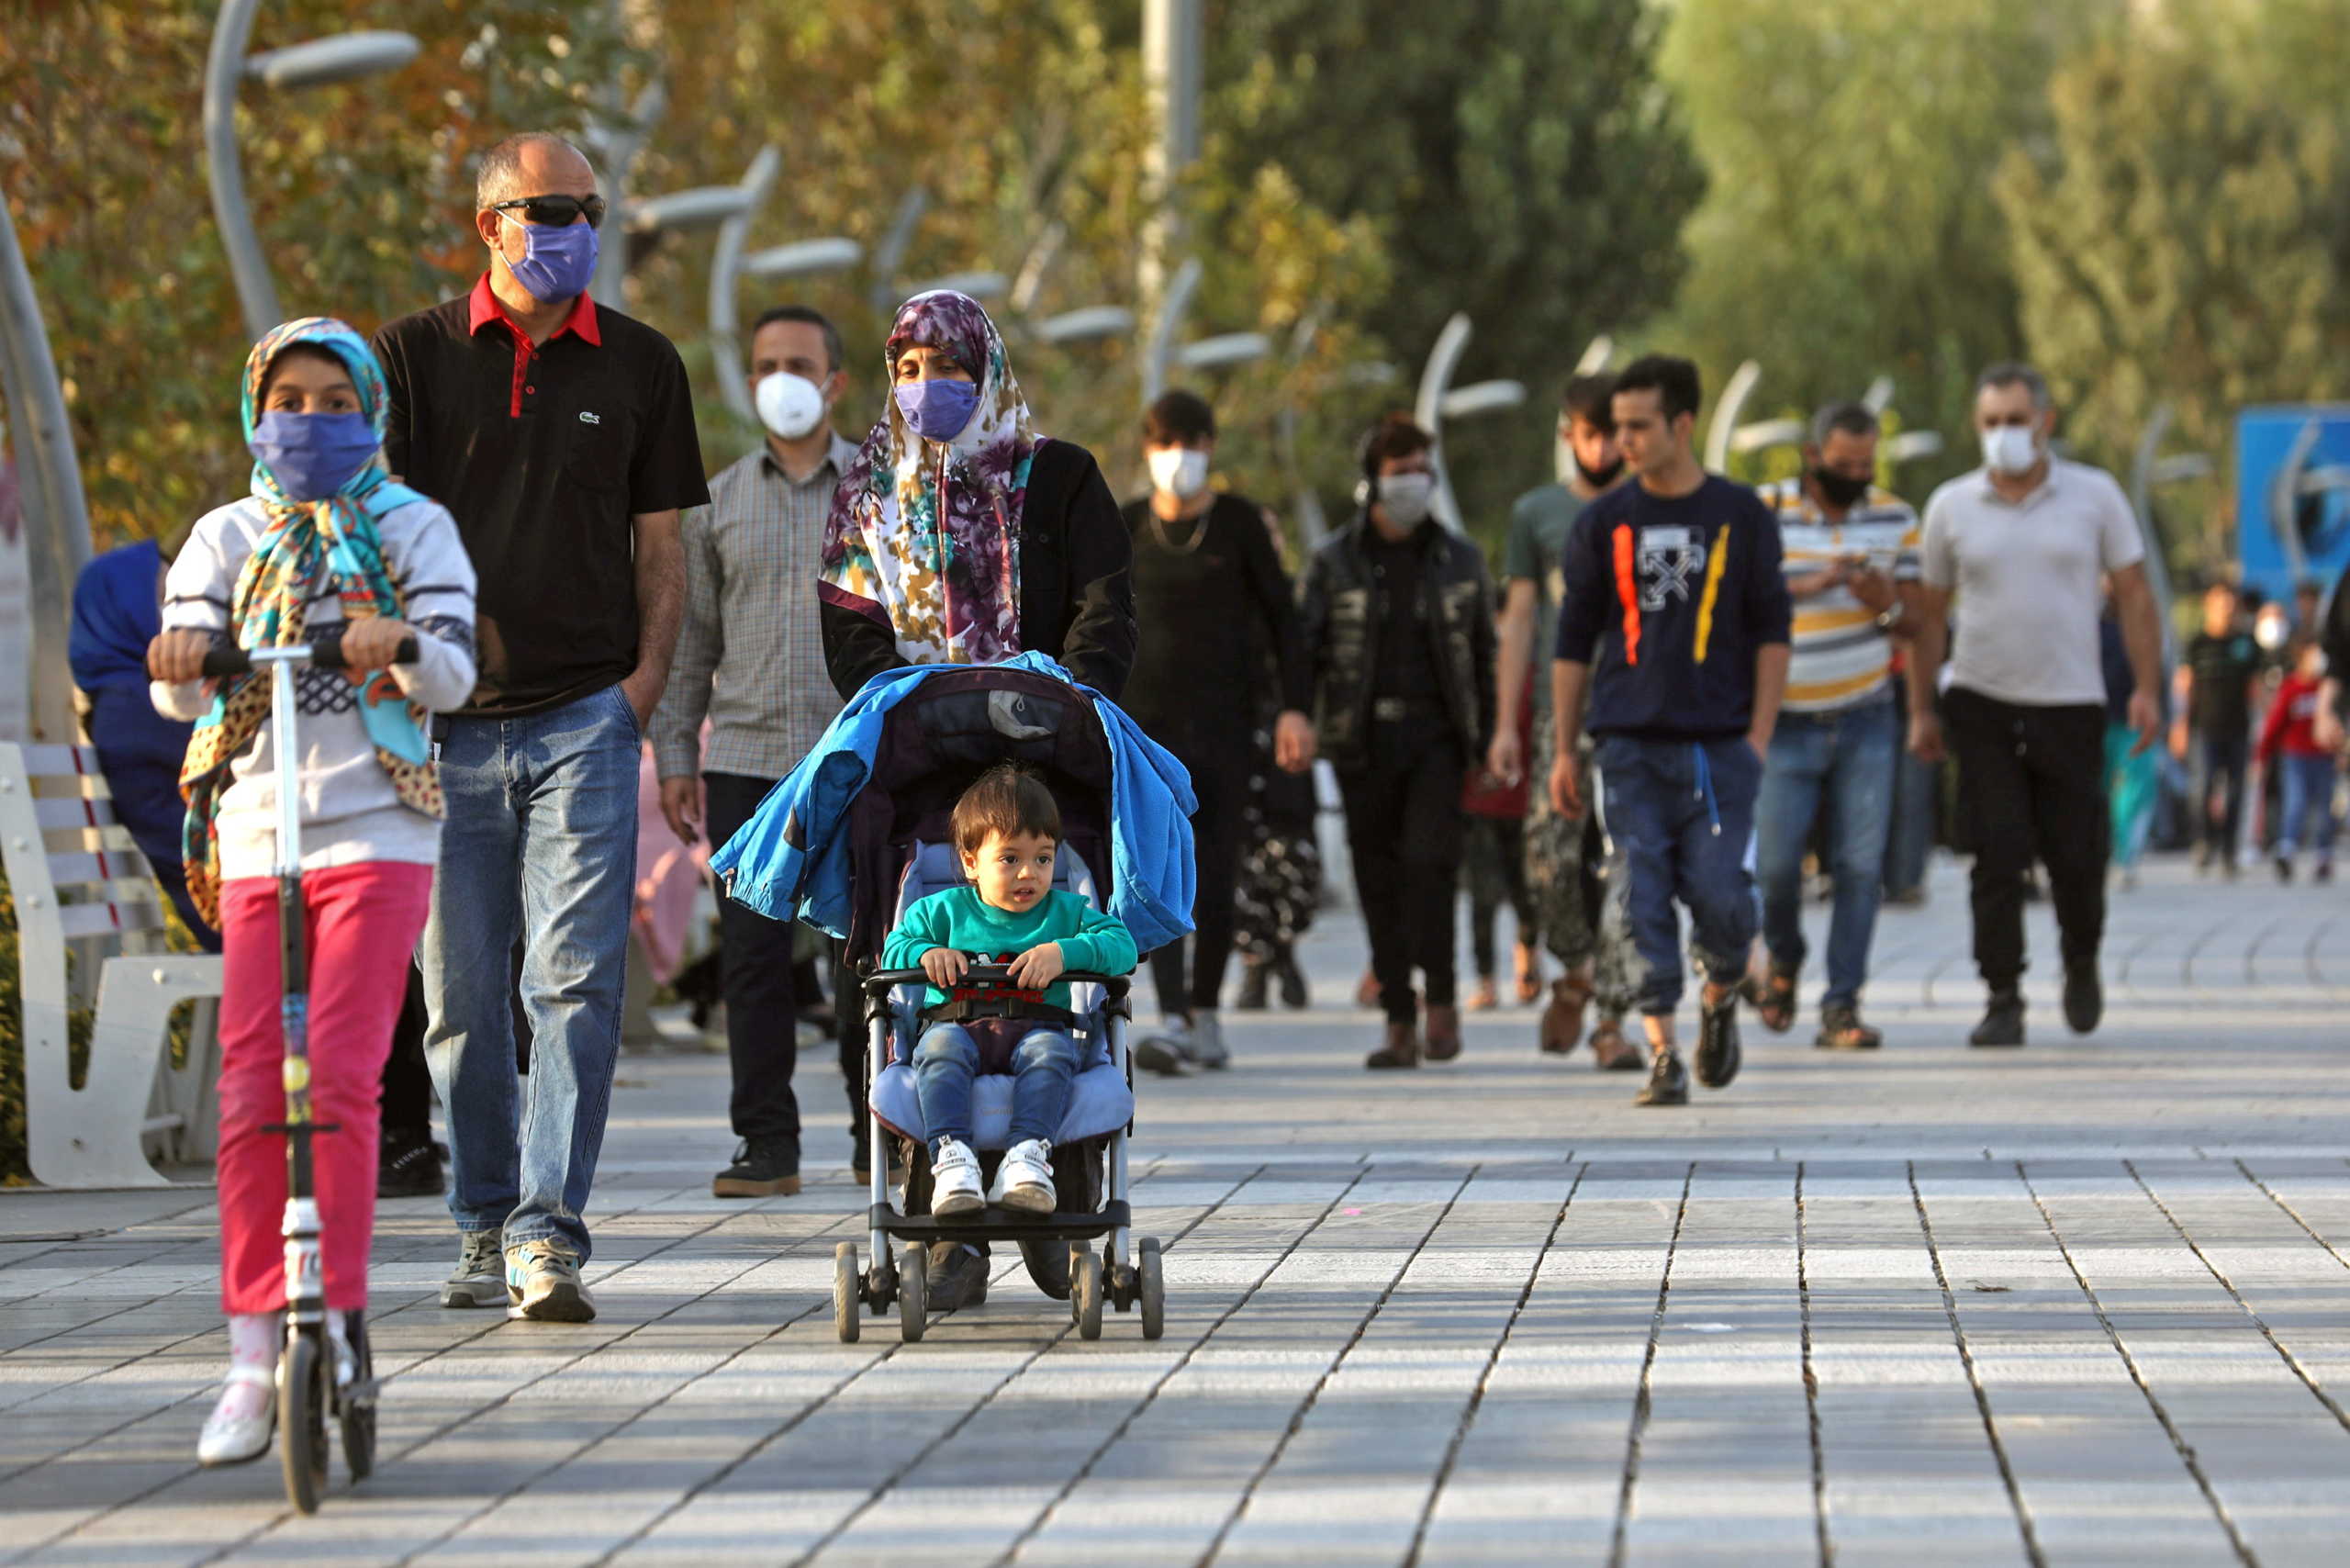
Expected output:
(1684, 817)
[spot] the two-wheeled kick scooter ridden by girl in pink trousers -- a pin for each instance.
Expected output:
(309, 1383)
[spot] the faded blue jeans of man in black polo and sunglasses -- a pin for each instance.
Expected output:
(539, 847)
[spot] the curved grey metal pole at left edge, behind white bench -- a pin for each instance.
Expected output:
(55, 514)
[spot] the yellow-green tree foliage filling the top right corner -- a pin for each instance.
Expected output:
(2184, 236)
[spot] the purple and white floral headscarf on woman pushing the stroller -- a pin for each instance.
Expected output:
(927, 535)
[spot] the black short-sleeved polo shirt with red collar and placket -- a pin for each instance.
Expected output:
(544, 455)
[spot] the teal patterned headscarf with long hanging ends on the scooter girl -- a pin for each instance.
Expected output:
(307, 542)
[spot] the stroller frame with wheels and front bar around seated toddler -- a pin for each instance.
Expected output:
(904, 1280)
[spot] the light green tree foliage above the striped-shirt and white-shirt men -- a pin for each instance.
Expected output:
(1848, 227)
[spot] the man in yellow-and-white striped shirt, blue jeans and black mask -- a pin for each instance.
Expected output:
(1853, 558)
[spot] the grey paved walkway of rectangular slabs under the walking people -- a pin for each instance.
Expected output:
(2086, 1304)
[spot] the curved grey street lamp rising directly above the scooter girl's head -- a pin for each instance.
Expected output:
(309, 65)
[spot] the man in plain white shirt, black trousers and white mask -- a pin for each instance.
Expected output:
(2025, 542)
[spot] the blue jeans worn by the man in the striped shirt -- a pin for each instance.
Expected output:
(1841, 763)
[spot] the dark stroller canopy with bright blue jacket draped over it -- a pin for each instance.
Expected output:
(831, 840)
